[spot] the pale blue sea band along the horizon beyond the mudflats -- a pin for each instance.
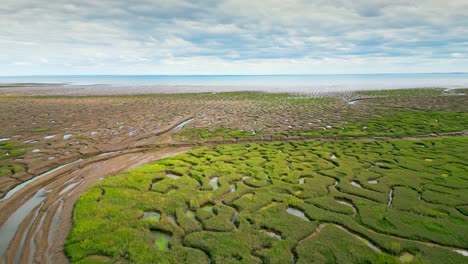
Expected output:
(285, 83)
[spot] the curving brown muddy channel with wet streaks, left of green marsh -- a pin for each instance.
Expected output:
(36, 219)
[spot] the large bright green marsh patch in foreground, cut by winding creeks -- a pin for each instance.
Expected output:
(295, 191)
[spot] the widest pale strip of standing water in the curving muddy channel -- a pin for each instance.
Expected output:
(9, 228)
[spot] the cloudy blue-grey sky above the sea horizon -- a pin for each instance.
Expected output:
(68, 37)
